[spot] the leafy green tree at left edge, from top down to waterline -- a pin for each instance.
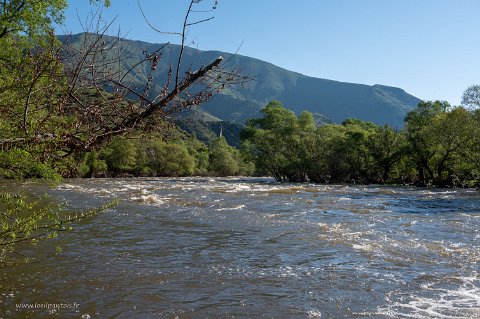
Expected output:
(32, 81)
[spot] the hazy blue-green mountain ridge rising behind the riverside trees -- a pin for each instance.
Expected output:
(332, 100)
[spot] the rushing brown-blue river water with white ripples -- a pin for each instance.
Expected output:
(253, 248)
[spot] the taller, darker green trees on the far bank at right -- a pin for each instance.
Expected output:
(438, 146)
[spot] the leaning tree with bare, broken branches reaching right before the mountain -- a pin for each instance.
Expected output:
(70, 99)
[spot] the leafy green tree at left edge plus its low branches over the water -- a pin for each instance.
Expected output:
(32, 82)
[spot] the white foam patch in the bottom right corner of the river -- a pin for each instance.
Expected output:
(461, 302)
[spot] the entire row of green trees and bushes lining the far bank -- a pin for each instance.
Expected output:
(439, 146)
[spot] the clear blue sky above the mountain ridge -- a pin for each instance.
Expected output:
(429, 48)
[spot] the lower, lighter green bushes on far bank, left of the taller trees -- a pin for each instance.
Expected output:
(178, 156)
